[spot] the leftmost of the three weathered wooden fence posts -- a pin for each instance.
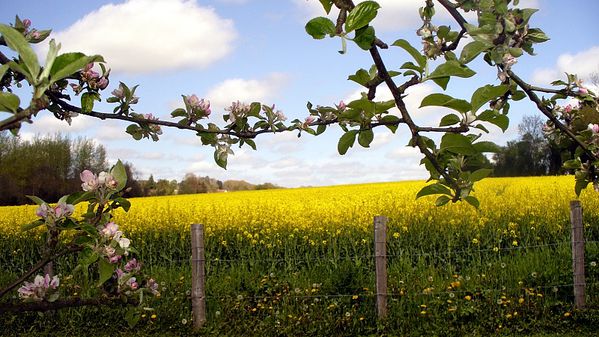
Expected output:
(198, 276)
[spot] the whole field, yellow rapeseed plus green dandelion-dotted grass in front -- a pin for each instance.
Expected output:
(300, 262)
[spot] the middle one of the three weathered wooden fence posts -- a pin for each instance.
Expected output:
(380, 258)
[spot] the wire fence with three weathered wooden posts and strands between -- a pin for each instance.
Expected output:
(381, 260)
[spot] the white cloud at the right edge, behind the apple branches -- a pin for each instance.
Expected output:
(583, 64)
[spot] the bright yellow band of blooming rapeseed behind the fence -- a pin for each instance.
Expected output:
(544, 200)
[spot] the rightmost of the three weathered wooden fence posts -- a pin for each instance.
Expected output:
(577, 253)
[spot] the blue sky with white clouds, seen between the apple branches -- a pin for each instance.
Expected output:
(257, 50)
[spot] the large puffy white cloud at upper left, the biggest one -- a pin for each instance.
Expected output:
(144, 36)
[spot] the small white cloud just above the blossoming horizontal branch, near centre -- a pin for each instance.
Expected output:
(246, 90)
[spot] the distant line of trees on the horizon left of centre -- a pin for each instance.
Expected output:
(49, 168)
